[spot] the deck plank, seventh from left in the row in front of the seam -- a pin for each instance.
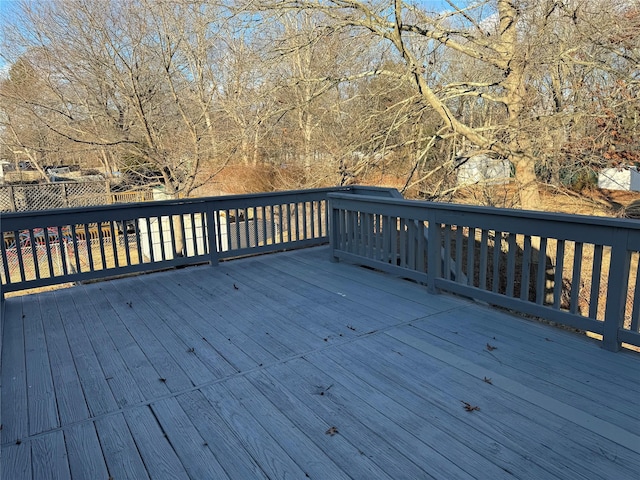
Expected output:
(228, 449)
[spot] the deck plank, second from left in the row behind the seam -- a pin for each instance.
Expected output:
(42, 409)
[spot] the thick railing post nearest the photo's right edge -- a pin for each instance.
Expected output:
(616, 291)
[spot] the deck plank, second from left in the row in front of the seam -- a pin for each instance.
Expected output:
(49, 457)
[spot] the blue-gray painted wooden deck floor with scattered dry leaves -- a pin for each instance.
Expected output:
(290, 366)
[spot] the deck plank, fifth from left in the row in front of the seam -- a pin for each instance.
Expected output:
(158, 455)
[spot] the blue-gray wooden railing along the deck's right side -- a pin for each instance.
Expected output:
(578, 271)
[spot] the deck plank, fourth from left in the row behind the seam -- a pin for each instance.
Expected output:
(97, 392)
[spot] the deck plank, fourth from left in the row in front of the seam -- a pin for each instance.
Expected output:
(119, 449)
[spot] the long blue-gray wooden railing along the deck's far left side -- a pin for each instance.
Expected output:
(43, 248)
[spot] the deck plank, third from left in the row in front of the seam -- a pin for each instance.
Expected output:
(86, 459)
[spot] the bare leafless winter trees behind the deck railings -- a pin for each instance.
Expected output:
(321, 92)
